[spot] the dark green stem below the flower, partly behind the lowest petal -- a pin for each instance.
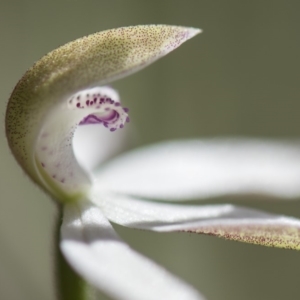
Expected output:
(69, 285)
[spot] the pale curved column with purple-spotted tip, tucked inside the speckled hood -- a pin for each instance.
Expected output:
(55, 159)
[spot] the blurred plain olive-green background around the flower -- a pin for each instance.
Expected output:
(240, 77)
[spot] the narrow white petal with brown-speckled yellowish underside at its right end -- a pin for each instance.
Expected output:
(227, 221)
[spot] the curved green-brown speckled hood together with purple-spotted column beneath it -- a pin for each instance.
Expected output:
(43, 110)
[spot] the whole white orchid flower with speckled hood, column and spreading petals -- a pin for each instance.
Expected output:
(66, 89)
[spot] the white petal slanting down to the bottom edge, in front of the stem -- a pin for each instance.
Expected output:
(94, 250)
